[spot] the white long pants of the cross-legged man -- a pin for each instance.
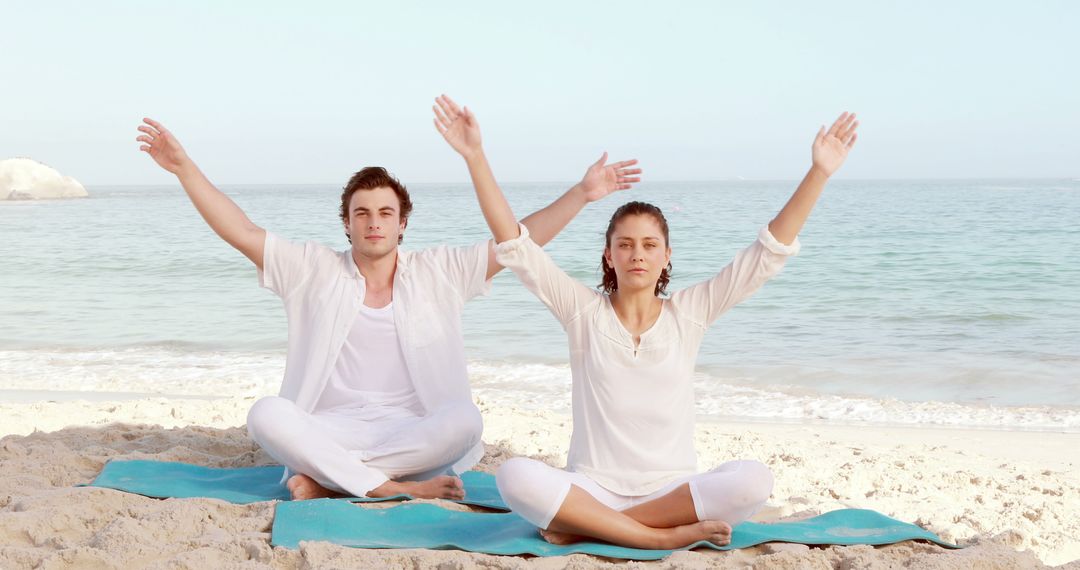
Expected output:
(355, 456)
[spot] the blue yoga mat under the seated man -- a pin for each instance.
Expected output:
(167, 480)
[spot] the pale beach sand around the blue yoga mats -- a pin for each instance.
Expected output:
(1011, 498)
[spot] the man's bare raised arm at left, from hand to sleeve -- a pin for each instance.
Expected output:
(223, 215)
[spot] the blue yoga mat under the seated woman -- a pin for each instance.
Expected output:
(428, 526)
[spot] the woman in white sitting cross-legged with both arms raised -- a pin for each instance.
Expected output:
(631, 477)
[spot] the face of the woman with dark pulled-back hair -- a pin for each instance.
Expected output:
(639, 253)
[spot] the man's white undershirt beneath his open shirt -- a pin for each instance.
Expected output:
(371, 381)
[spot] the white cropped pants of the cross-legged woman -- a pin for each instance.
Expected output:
(732, 493)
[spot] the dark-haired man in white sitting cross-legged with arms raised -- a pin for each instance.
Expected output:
(375, 400)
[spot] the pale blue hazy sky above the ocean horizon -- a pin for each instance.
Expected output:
(285, 93)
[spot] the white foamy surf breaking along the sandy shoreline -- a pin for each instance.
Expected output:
(734, 396)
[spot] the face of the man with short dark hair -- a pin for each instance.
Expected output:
(374, 222)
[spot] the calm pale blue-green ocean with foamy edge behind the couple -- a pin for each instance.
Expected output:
(931, 303)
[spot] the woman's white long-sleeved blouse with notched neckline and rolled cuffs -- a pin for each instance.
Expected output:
(633, 410)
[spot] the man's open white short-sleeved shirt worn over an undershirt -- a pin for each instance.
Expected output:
(323, 291)
